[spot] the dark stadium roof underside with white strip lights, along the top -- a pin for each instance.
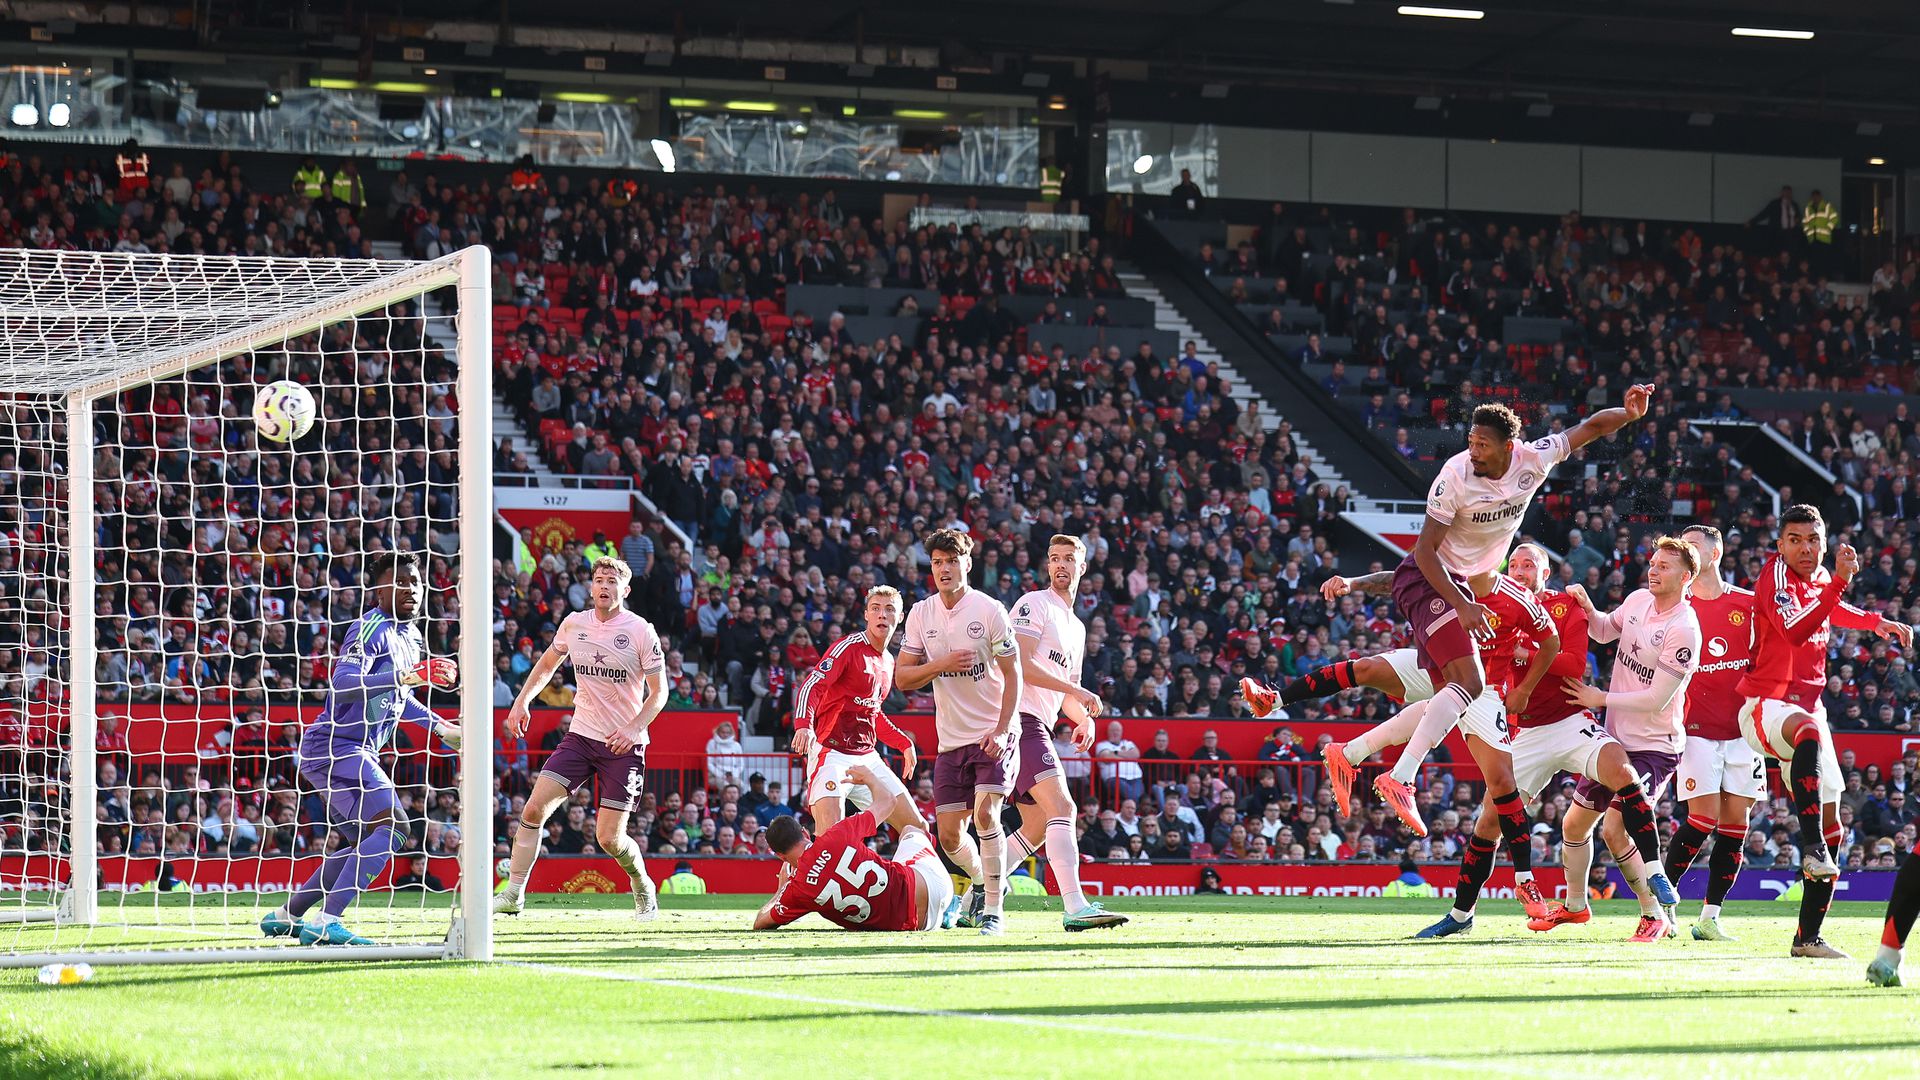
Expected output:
(1863, 51)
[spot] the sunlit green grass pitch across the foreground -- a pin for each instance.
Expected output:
(1195, 989)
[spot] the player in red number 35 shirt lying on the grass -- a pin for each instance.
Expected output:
(846, 883)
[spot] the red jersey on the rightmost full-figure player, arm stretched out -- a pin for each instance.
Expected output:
(1792, 624)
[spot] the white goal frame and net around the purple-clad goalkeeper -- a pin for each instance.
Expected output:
(176, 591)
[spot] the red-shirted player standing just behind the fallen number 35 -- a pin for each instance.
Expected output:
(836, 714)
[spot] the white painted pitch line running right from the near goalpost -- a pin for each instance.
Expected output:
(1297, 1050)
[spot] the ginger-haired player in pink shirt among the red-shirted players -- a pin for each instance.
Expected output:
(1658, 654)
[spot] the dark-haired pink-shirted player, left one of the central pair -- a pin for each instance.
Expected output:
(961, 641)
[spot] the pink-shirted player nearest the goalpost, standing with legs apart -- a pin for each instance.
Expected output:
(623, 687)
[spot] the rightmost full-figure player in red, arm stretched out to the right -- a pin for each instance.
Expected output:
(1796, 604)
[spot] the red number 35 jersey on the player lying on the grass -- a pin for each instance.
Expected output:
(848, 885)
